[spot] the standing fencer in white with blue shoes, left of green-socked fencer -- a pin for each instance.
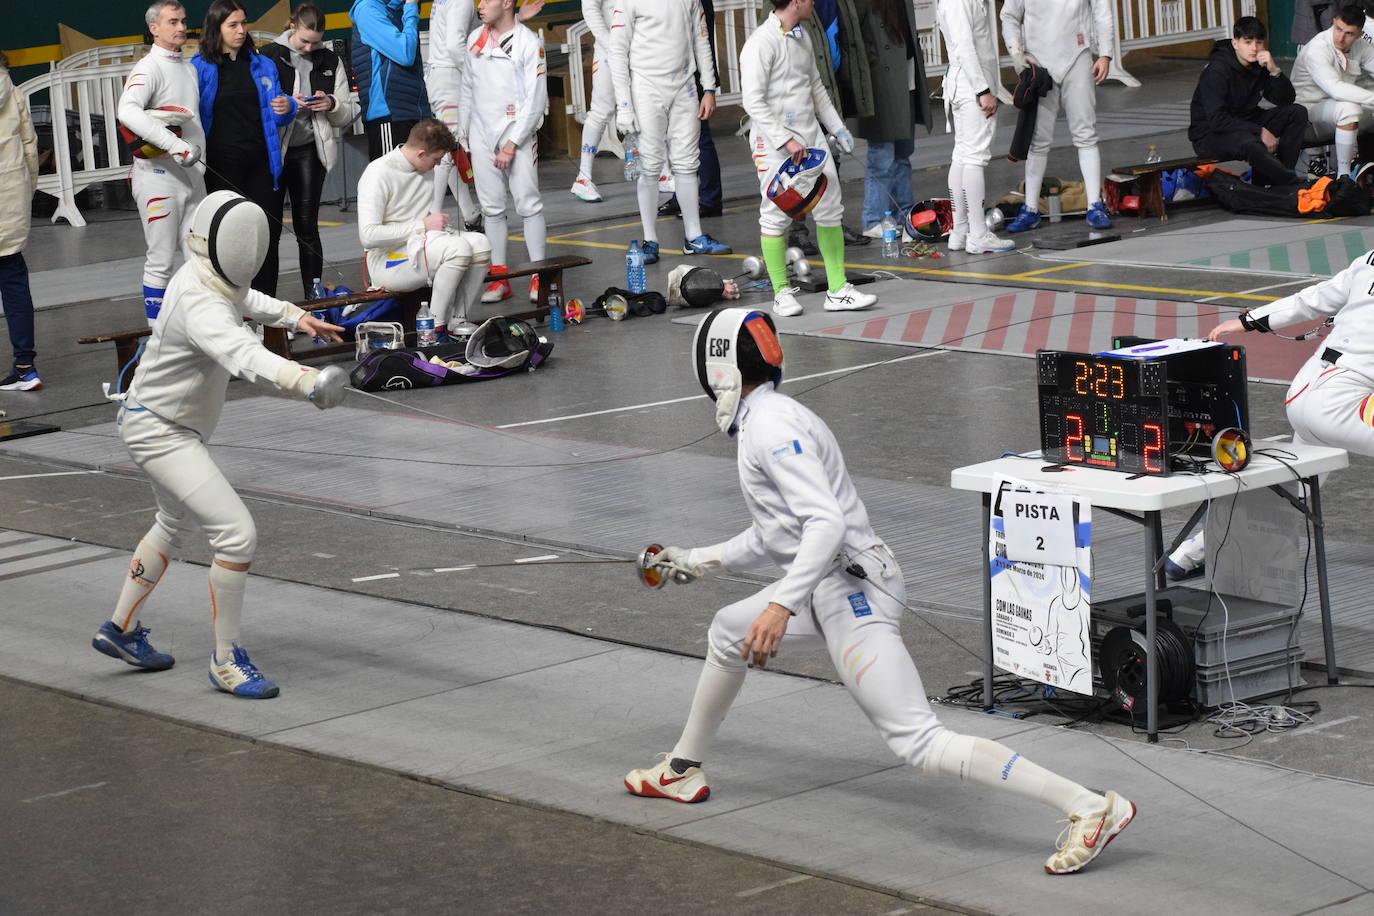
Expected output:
(656, 47)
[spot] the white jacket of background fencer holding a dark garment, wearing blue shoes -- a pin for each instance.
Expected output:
(1056, 32)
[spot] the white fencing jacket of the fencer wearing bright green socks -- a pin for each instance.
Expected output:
(782, 90)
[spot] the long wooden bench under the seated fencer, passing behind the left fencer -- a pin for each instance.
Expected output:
(275, 340)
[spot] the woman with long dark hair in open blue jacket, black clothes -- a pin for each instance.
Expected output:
(243, 108)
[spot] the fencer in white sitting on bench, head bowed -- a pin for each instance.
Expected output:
(409, 245)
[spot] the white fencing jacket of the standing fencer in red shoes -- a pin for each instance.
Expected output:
(505, 97)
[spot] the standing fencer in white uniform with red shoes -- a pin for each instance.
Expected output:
(504, 102)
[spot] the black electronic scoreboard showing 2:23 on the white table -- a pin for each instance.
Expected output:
(1142, 407)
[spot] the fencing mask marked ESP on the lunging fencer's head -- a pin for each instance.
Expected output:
(734, 348)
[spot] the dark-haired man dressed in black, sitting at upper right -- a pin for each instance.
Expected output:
(1228, 120)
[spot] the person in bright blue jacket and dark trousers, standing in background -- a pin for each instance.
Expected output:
(390, 72)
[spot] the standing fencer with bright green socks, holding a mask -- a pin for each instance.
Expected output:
(788, 105)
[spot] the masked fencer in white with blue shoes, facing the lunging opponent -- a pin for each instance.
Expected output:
(171, 410)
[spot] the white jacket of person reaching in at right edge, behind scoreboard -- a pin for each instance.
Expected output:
(1350, 297)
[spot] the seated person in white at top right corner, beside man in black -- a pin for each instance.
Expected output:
(1325, 83)
